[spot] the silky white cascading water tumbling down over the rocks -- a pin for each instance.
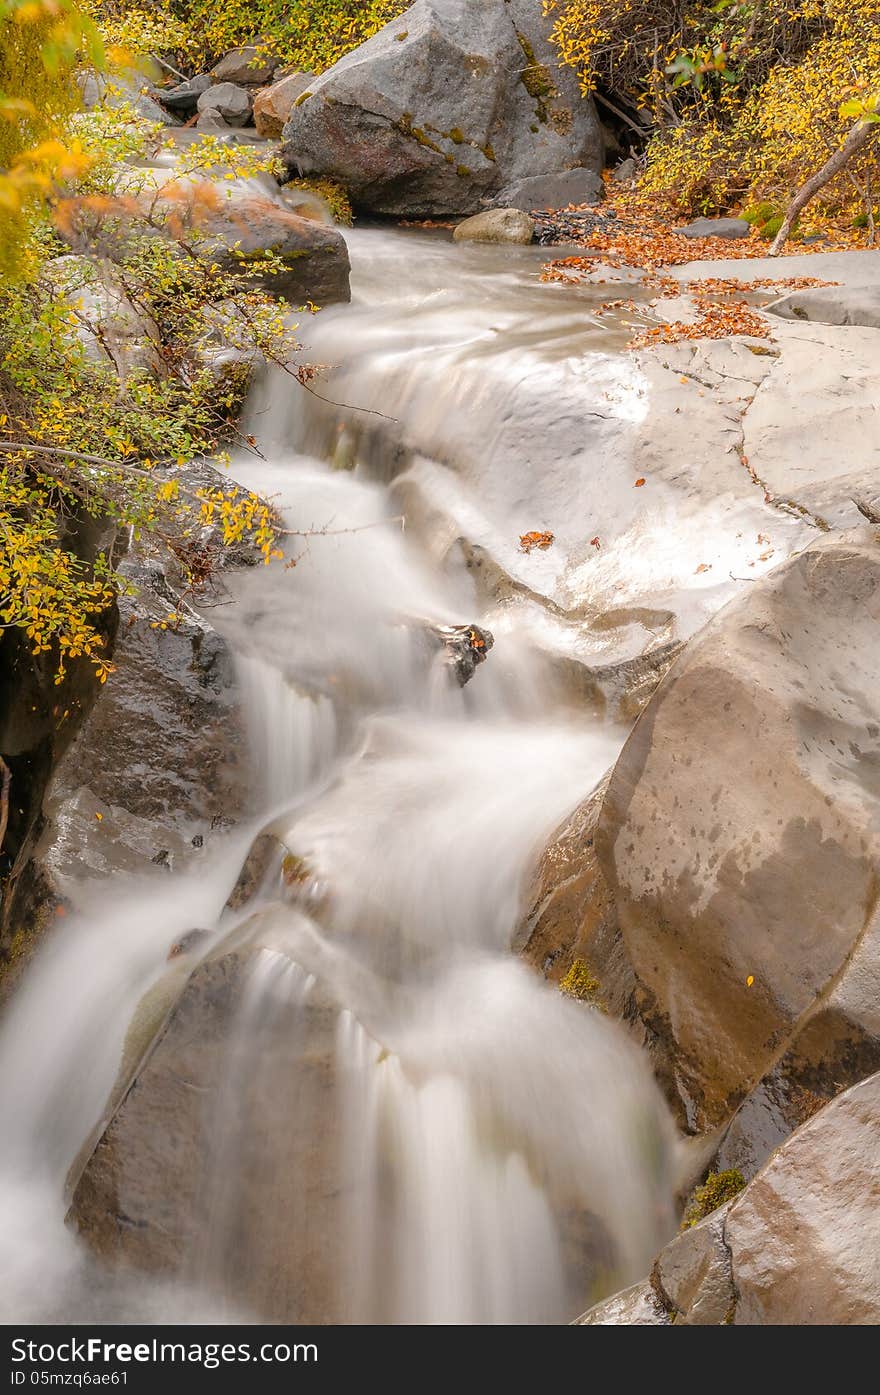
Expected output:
(380, 1114)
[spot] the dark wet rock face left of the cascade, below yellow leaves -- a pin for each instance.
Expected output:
(158, 767)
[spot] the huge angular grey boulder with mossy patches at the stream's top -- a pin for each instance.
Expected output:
(444, 108)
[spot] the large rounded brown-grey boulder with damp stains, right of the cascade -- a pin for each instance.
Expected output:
(741, 842)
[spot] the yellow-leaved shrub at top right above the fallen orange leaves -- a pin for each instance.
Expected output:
(745, 97)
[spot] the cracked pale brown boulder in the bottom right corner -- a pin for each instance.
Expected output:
(798, 1248)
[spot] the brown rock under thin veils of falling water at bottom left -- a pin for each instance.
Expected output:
(155, 1195)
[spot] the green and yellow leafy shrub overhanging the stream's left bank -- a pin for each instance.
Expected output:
(79, 440)
